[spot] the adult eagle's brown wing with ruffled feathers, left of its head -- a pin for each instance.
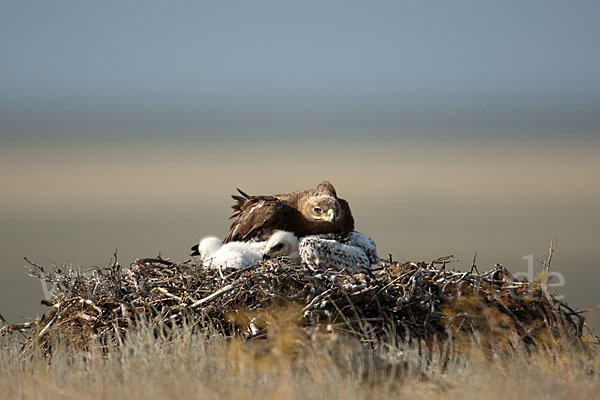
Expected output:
(254, 216)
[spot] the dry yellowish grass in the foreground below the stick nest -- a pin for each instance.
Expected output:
(187, 365)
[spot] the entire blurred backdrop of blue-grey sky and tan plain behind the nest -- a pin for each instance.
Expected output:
(450, 127)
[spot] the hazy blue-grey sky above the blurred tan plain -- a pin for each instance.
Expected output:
(77, 67)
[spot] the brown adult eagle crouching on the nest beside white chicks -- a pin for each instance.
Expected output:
(304, 212)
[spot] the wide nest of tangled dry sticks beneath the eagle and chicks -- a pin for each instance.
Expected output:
(426, 301)
